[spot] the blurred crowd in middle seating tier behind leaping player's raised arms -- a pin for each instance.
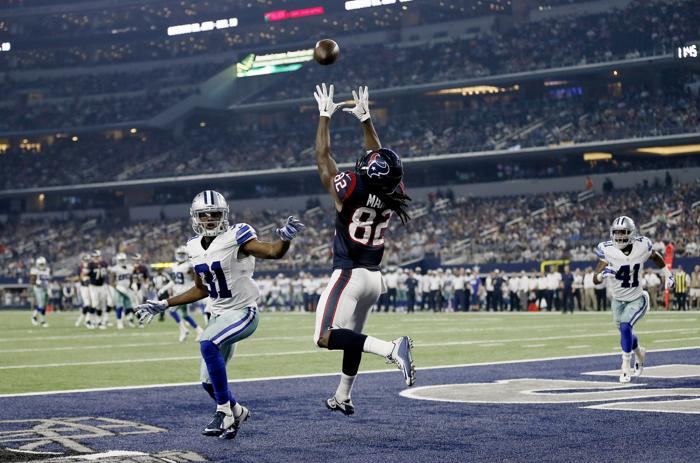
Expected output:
(478, 123)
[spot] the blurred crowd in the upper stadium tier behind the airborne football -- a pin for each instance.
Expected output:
(642, 28)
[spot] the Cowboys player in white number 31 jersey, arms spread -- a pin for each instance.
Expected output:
(223, 258)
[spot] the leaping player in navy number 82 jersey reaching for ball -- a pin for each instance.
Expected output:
(365, 200)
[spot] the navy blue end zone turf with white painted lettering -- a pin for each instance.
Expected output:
(291, 424)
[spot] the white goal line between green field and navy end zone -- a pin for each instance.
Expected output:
(321, 375)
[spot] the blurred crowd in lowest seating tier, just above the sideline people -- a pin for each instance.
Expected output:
(458, 231)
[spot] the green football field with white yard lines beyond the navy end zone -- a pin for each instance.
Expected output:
(63, 357)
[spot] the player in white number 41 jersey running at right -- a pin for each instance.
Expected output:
(621, 263)
